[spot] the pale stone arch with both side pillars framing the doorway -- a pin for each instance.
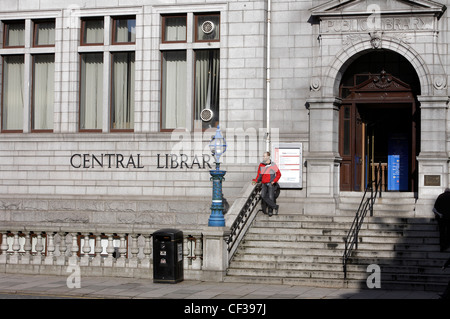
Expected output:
(324, 157)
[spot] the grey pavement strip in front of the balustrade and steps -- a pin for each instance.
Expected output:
(131, 288)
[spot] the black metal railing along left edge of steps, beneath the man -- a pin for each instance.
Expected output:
(246, 214)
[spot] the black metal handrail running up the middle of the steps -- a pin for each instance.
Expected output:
(366, 204)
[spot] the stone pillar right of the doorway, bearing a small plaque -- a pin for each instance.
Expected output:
(433, 158)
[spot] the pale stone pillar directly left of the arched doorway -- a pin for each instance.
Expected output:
(322, 158)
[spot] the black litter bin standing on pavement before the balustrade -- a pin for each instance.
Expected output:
(168, 256)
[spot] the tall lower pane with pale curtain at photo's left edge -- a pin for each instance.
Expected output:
(13, 93)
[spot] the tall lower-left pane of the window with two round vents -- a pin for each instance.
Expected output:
(174, 80)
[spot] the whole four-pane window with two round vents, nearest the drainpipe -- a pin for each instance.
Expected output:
(190, 70)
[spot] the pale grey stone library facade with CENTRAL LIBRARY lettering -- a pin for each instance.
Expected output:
(145, 159)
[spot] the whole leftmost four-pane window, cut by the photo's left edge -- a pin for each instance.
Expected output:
(28, 76)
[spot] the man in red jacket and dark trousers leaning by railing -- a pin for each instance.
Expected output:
(268, 175)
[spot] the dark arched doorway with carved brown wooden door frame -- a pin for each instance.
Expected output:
(379, 122)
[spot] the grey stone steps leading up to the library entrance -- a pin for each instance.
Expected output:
(301, 249)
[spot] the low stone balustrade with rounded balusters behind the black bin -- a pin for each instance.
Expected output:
(96, 253)
